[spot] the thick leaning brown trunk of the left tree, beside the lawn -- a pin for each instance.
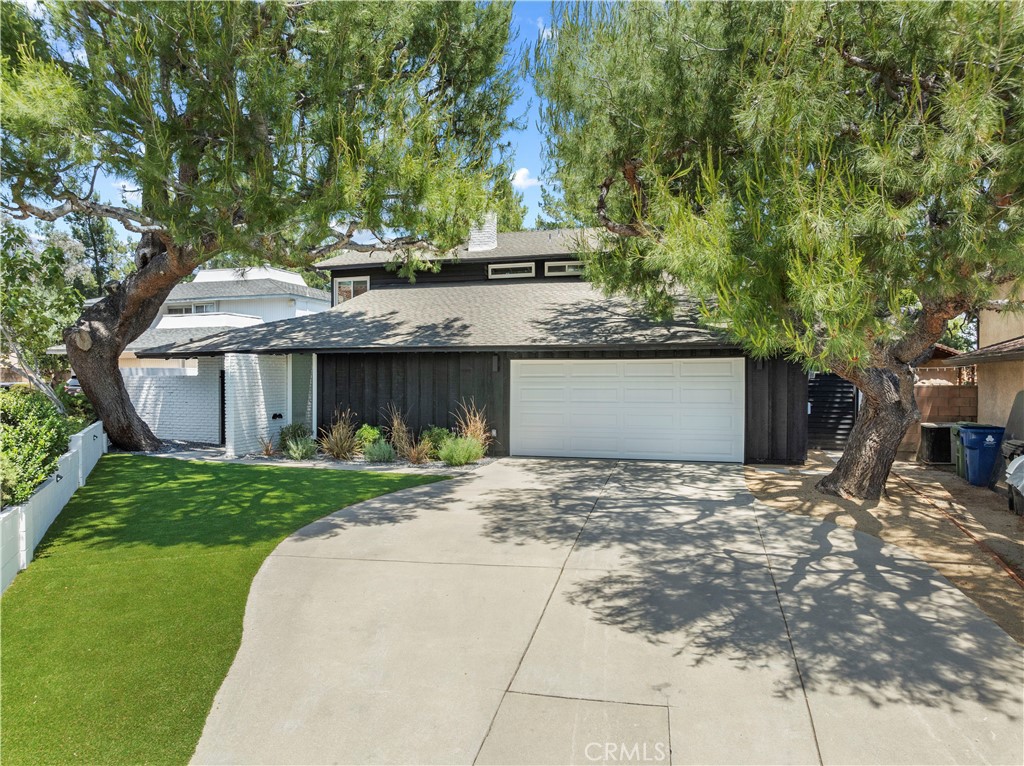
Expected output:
(100, 336)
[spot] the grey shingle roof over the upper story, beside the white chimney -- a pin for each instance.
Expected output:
(511, 246)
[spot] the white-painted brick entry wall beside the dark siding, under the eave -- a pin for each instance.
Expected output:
(257, 391)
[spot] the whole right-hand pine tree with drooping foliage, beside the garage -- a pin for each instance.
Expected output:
(835, 182)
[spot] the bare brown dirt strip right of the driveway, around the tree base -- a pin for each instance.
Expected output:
(921, 516)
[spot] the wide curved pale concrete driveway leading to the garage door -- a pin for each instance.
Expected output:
(543, 612)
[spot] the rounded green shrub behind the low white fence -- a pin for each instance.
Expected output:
(33, 437)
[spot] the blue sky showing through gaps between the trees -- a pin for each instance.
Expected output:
(530, 21)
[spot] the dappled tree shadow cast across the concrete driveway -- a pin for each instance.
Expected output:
(710, 574)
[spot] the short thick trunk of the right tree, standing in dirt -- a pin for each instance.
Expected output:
(888, 412)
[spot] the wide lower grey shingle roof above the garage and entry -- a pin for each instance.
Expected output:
(466, 317)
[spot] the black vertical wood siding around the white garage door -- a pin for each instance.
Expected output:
(429, 387)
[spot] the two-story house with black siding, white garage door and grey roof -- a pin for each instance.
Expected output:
(511, 323)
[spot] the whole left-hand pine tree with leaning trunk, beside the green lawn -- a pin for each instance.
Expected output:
(268, 132)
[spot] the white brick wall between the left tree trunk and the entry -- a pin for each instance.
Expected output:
(181, 407)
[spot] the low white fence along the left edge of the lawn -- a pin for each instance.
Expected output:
(23, 527)
